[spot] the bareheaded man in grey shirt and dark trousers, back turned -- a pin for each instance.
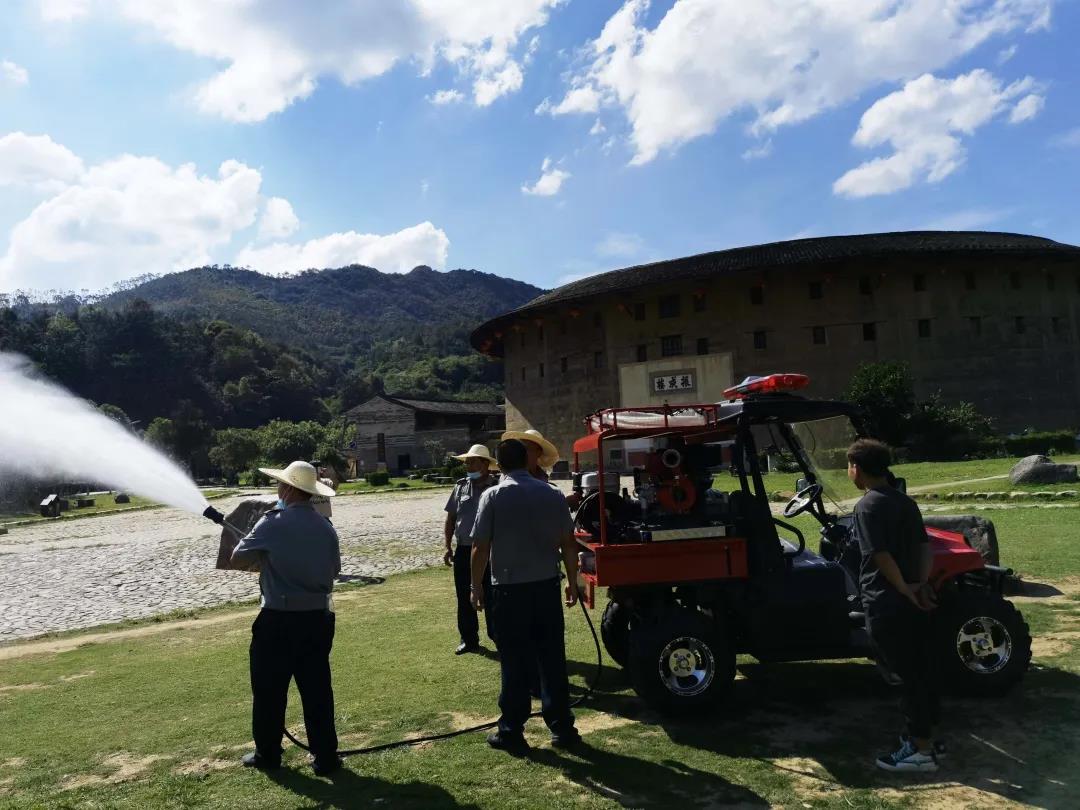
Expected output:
(522, 525)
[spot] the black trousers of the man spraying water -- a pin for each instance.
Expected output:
(288, 645)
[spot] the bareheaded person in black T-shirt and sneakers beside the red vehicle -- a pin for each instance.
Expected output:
(898, 600)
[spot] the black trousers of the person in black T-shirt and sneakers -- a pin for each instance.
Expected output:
(903, 642)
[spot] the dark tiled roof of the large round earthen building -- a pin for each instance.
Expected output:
(776, 255)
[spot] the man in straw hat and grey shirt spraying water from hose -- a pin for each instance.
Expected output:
(299, 556)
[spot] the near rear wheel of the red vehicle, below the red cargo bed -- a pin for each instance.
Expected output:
(681, 663)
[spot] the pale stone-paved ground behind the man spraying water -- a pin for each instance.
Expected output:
(79, 574)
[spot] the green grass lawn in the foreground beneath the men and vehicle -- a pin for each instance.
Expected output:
(161, 721)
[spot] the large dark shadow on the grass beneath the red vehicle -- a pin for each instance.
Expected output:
(1022, 748)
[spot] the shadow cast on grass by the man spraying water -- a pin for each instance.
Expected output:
(348, 790)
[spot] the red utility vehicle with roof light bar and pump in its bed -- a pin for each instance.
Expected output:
(698, 573)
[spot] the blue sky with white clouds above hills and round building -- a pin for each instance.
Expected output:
(539, 140)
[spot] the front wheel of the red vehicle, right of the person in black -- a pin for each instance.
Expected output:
(984, 643)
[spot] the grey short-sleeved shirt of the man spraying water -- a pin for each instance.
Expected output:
(299, 555)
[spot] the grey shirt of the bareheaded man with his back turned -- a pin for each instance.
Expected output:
(524, 520)
